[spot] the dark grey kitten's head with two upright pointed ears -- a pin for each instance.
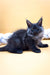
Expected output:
(34, 29)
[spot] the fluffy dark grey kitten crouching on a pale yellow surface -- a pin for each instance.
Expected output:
(26, 39)
